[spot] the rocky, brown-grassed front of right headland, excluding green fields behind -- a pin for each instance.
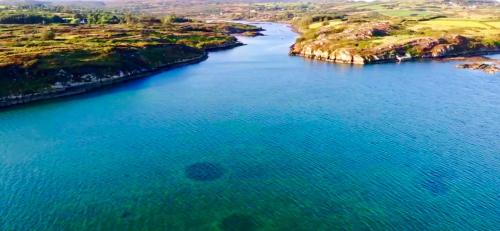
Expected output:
(384, 42)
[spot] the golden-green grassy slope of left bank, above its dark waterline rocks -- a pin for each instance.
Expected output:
(30, 64)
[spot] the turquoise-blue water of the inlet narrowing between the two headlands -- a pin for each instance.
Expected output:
(253, 139)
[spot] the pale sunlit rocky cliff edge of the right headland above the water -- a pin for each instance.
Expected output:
(418, 48)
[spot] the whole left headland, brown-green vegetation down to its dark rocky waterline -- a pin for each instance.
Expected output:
(42, 59)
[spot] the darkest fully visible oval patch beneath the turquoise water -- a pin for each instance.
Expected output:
(204, 171)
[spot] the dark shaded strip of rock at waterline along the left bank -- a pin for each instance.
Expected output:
(83, 87)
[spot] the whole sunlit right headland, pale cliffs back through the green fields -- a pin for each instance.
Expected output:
(363, 33)
